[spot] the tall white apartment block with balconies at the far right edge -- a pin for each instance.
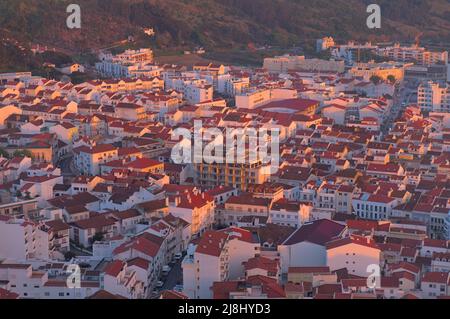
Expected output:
(434, 97)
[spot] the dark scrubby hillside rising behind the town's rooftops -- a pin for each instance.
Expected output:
(216, 23)
